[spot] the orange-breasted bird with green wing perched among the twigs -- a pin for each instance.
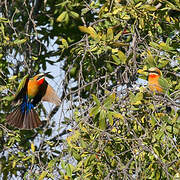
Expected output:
(156, 82)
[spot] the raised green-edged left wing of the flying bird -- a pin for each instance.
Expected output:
(22, 88)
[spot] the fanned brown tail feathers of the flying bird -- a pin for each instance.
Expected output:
(25, 120)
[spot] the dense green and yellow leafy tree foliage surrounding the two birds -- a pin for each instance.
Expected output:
(114, 127)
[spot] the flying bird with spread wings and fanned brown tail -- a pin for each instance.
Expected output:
(29, 93)
